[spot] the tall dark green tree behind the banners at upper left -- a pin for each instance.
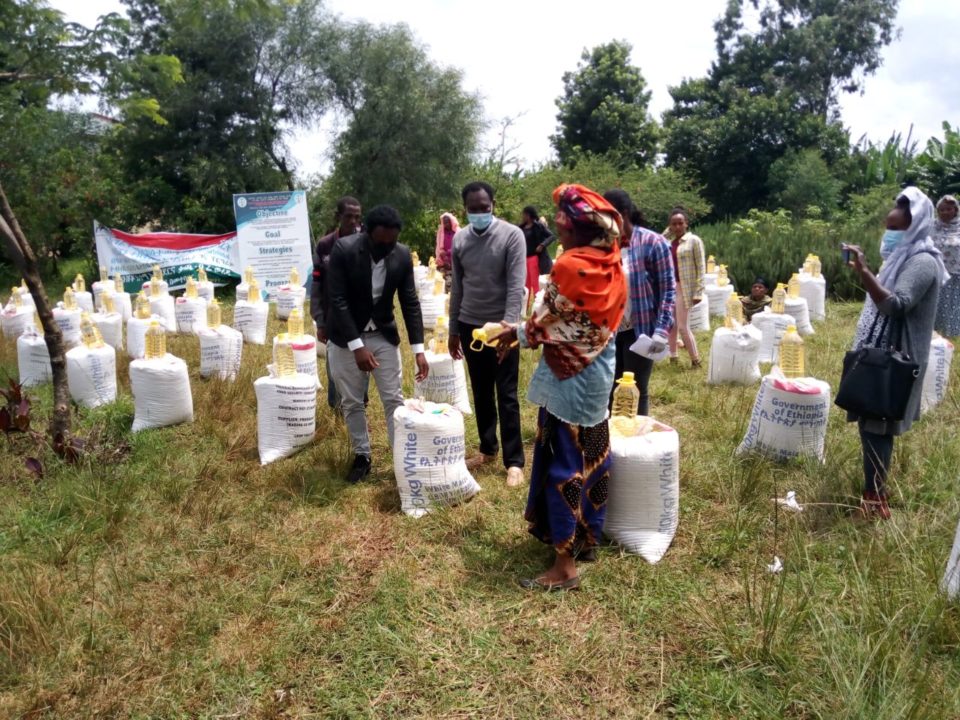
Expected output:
(253, 70)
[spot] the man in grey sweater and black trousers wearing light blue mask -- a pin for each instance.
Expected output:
(489, 272)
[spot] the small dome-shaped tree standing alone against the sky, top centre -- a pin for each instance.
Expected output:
(603, 110)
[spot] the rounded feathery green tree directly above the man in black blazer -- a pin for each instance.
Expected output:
(411, 129)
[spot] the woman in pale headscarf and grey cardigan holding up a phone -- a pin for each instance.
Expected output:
(904, 294)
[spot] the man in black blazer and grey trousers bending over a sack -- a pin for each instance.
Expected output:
(366, 271)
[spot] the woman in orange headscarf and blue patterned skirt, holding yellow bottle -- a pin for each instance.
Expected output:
(574, 324)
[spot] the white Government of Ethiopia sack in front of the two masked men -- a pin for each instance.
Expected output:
(428, 457)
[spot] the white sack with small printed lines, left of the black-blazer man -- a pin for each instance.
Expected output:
(286, 415)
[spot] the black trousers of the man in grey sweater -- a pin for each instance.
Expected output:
(486, 377)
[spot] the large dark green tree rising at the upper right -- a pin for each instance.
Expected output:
(772, 90)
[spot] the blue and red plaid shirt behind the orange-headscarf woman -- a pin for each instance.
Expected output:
(652, 287)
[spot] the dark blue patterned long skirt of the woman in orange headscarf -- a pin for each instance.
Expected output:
(568, 485)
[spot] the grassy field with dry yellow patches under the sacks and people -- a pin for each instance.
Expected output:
(169, 575)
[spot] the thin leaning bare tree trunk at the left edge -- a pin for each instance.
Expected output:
(26, 262)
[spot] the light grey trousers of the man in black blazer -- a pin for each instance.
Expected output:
(352, 385)
